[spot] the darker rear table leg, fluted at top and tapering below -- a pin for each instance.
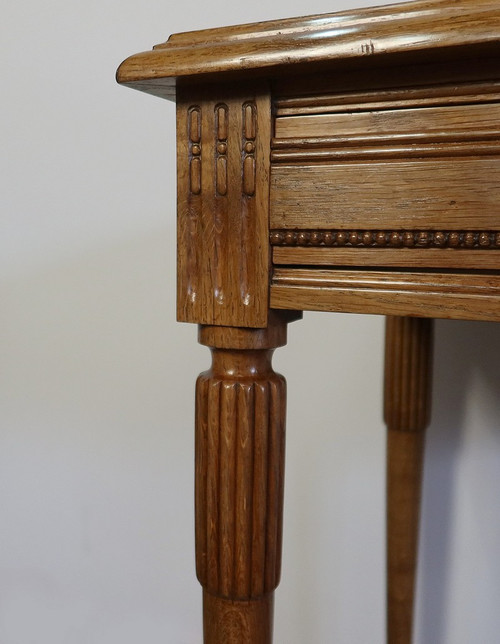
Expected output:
(408, 370)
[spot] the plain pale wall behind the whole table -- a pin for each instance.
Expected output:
(97, 380)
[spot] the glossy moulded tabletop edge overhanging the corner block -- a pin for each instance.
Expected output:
(285, 46)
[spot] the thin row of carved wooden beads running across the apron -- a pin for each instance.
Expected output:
(482, 240)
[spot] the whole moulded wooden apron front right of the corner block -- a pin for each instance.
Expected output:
(388, 202)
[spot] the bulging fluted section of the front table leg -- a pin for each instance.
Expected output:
(239, 484)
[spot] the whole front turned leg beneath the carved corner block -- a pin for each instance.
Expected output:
(240, 443)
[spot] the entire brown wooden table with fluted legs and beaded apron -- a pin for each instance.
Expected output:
(347, 162)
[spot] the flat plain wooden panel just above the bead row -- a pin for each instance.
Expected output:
(463, 194)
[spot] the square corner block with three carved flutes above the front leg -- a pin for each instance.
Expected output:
(223, 156)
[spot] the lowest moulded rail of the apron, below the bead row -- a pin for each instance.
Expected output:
(439, 295)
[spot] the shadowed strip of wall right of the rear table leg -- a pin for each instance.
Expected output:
(461, 442)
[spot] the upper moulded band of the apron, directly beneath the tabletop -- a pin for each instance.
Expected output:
(435, 121)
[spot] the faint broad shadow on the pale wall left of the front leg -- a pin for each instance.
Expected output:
(96, 540)
